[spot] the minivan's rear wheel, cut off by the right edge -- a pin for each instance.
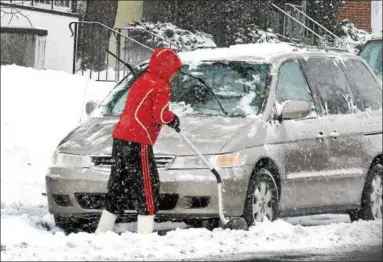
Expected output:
(371, 207)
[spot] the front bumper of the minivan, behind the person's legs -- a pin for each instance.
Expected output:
(185, 194)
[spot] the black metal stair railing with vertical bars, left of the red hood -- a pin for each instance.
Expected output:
(91, 54)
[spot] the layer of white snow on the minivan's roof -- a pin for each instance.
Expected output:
(246, 52)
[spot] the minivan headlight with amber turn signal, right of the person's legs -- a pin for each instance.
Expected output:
(194, 162)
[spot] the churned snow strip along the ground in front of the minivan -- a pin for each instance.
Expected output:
(23, 239)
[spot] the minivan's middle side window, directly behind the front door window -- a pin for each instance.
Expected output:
(330, 83)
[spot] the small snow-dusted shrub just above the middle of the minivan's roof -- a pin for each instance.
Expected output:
(252, 34)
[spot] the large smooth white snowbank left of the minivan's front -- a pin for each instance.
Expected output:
(39, 108)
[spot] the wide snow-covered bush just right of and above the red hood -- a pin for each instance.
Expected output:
(185, 39)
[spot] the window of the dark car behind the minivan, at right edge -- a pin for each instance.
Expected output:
(372, 53)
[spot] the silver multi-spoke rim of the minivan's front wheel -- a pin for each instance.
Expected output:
(262, 202)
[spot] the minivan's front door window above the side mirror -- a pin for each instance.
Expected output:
(292, 85)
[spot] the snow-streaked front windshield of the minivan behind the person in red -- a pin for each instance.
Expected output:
(240, 87)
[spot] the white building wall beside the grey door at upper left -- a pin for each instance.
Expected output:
(59, 43)
